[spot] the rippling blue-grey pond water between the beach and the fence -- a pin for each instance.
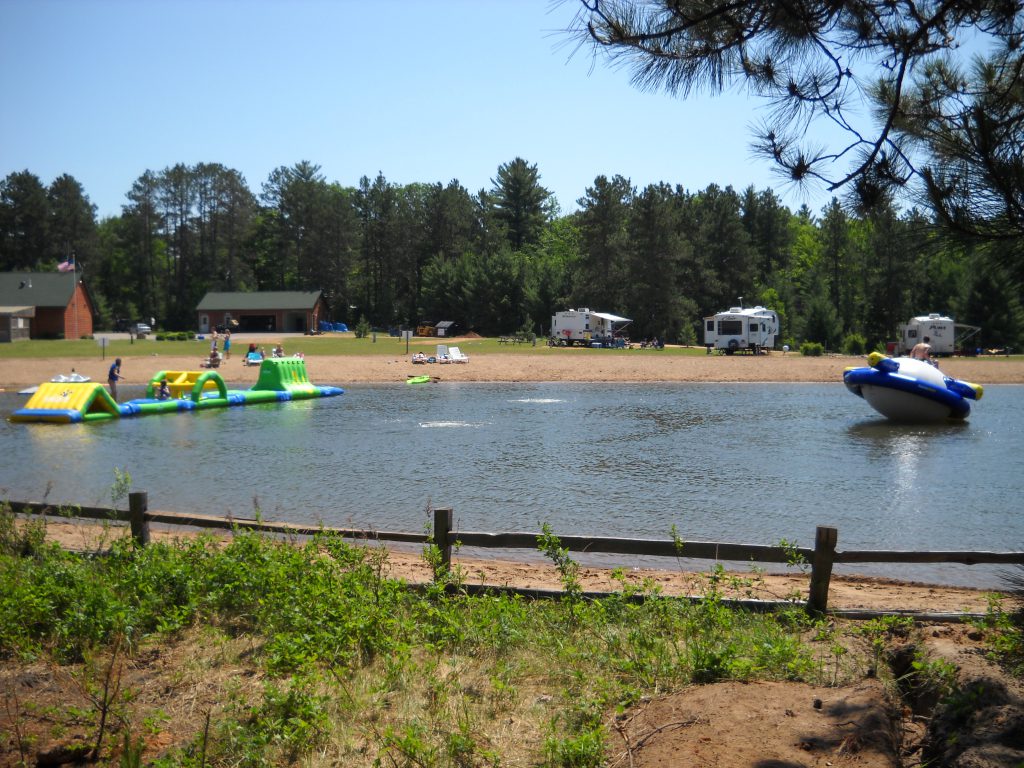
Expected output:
(747, 463)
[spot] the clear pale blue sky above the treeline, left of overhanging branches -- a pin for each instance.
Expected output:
(421, 92)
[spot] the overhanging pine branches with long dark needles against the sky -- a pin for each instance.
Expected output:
(958, 131)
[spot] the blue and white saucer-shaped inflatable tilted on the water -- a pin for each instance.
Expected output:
(912, 391)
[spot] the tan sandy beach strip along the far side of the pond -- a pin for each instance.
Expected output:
(539, 364)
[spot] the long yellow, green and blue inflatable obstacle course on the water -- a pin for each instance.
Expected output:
(72, 403)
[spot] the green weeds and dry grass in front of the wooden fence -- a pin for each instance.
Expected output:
(363, 670)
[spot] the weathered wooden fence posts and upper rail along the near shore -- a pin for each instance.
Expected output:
(822, 559)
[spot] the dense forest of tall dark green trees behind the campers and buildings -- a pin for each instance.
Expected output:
(503, 261)
